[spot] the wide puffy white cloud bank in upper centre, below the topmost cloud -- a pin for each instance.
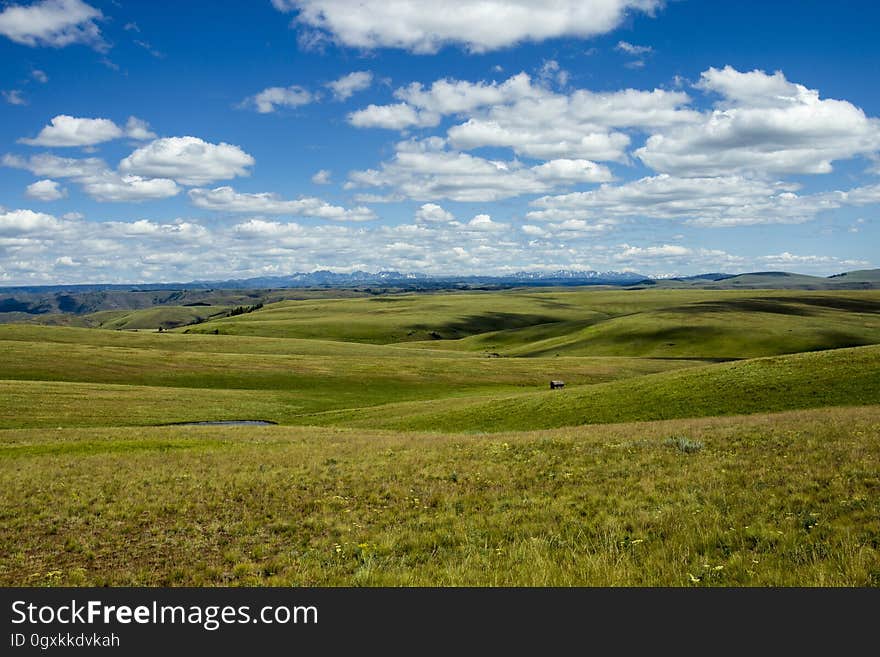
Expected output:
(530, 118)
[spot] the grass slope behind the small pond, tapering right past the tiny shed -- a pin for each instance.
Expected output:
(157, 378)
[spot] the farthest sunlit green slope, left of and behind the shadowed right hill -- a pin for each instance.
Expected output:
(448, 316)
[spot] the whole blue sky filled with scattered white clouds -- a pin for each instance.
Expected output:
(147, 142)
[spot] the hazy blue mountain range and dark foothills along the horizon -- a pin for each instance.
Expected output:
(26, 303)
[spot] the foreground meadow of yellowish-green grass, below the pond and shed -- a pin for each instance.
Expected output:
(782, 500)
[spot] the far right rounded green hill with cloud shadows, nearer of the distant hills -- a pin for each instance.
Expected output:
(720, 325)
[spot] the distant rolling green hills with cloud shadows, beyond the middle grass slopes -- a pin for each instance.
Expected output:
(659, 323)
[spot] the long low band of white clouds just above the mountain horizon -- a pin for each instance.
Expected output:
(44, 249)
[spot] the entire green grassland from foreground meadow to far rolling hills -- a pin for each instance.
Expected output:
(704, 437)
